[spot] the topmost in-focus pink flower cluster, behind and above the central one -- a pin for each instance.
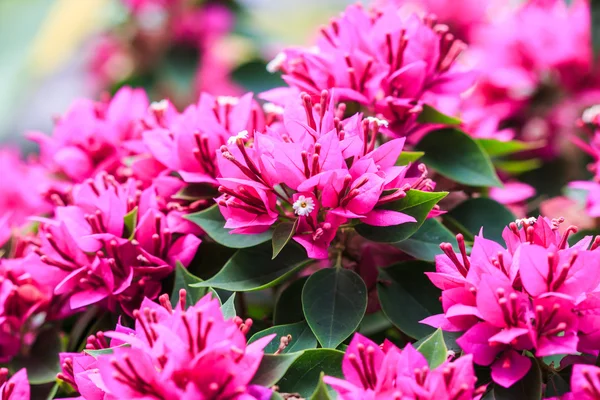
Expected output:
(386, 62)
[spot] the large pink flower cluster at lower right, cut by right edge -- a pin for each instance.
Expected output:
(537, 294)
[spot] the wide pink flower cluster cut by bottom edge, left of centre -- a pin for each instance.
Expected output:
(186, 353)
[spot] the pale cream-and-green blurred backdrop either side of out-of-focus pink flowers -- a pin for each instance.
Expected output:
(45, 48)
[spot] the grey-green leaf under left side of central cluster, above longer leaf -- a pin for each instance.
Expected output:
(212, 222)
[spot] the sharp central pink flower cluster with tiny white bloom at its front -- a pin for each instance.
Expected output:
(316, 168)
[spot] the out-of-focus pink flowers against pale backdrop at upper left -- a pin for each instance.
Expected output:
(153, 29)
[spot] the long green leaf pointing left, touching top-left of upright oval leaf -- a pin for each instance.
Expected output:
(254, 269)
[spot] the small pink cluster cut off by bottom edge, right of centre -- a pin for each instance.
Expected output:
(386, 372)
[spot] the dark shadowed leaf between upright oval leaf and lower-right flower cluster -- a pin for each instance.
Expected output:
(407, 296)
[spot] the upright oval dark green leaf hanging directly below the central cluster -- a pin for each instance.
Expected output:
(334, 302)
